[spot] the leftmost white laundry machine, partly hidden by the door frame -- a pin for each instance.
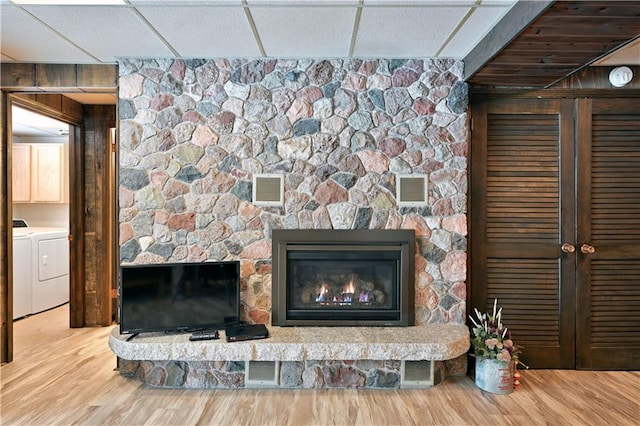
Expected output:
(22, 274)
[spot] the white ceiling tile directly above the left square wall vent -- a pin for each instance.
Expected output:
(305, 31)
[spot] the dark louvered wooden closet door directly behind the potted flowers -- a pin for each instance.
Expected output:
(522, 155)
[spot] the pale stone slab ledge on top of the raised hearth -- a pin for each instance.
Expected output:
(434, 342)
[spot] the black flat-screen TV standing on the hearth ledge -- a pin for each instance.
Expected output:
(179, 296)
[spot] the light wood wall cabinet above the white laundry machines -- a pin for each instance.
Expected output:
(38, 173)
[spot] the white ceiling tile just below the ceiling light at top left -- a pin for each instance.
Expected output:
(106, 32)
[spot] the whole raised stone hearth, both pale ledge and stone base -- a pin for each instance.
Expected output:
(299, 357)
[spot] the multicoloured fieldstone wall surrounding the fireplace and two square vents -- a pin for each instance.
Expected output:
(194, 132)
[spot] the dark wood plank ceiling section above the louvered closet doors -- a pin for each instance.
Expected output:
(564, 38)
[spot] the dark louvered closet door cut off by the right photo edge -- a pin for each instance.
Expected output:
(608, 308)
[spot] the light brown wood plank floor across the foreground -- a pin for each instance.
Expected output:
(67, 376)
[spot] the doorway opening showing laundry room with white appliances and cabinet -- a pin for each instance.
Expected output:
(40, 212)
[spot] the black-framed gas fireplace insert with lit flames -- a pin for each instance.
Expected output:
(343, 277)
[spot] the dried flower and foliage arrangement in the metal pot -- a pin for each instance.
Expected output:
(491, 339)
